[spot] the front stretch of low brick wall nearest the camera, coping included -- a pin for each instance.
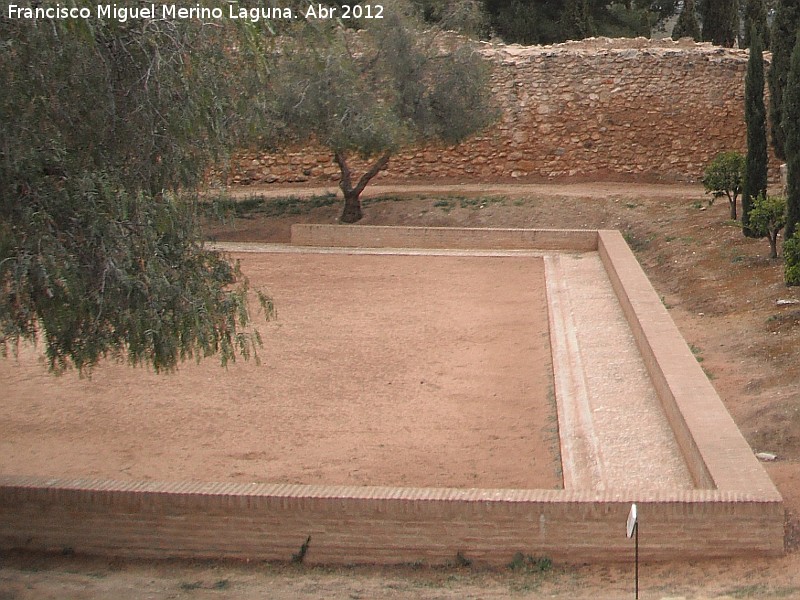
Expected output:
(377, 525)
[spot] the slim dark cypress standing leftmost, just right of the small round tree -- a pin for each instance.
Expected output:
(755, 116)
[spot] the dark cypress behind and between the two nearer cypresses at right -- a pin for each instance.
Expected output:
(782, 38)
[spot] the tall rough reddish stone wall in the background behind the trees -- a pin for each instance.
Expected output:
(600, 109)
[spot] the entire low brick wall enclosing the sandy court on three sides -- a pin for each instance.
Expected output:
(736, 510)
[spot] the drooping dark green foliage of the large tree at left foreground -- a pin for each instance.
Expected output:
(104, 129)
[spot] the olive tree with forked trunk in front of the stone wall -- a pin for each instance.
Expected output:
(370, 93)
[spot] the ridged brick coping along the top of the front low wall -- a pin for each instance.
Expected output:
(21, 484)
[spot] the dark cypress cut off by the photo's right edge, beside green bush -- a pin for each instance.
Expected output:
(791, 130)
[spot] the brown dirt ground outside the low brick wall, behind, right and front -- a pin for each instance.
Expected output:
(728, 300)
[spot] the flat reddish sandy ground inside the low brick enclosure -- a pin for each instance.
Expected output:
(380, 370)
